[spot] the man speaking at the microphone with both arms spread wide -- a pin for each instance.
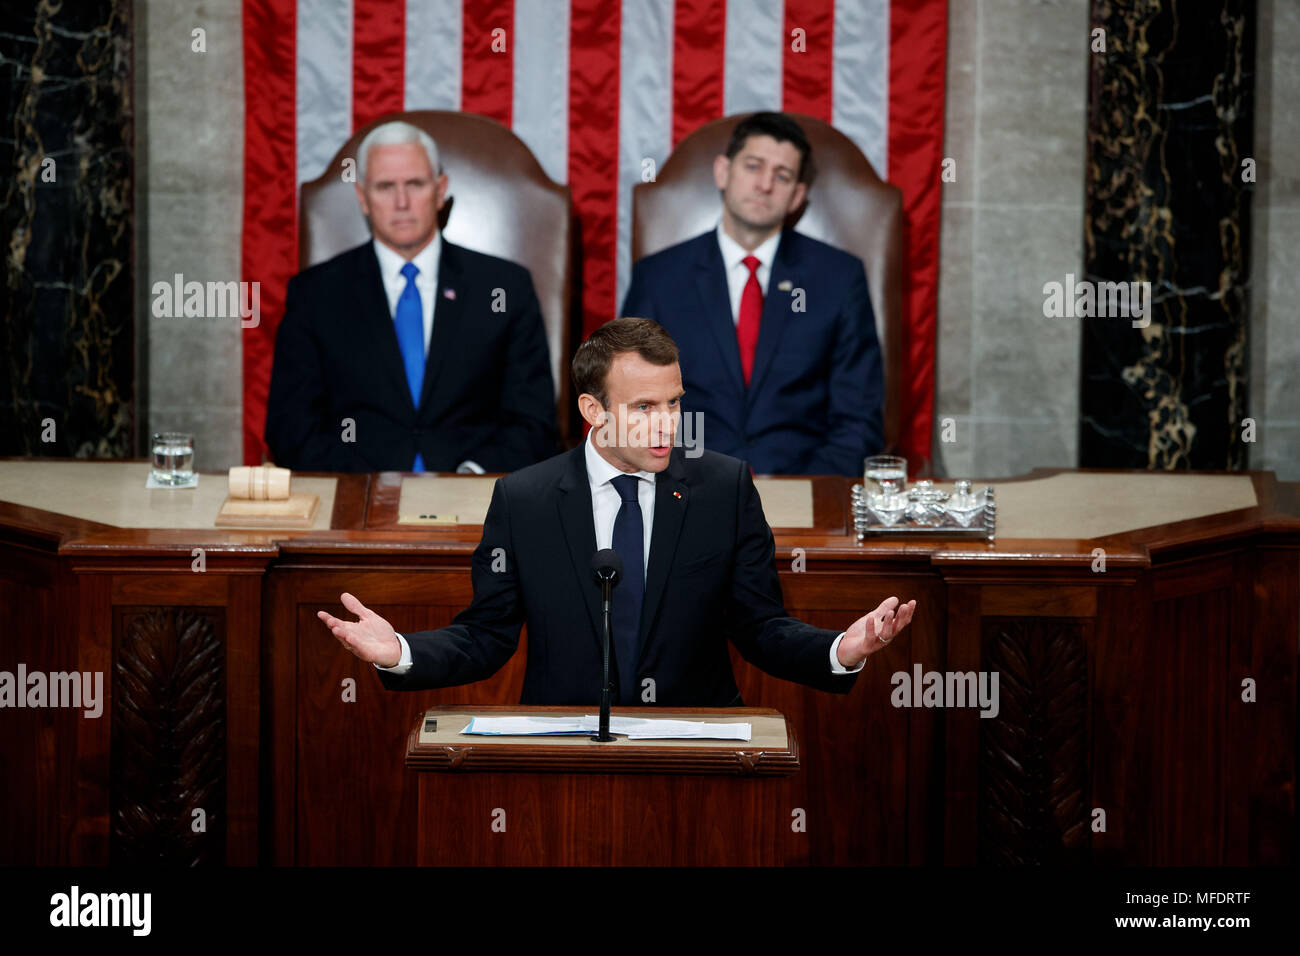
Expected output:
(699, 564)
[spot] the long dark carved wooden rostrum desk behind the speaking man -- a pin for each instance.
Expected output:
(1123, 734)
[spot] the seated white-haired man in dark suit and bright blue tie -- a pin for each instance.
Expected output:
(410, 353)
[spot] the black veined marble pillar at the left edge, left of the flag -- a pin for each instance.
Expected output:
(67, 364)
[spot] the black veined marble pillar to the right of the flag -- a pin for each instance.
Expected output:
(1171, 120)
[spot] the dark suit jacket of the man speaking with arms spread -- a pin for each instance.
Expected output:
(712, 579)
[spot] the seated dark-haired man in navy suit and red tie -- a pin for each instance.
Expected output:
(777, 331)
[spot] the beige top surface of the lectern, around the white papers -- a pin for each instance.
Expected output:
(766, 732)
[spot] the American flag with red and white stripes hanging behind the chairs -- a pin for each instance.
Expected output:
(592, 88)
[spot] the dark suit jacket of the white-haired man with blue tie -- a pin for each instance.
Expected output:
(488, 393)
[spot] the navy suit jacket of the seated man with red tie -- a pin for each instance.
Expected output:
(814, 401)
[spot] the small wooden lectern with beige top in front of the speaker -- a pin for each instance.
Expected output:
(571, 802)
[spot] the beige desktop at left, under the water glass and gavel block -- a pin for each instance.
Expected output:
(115, 494)
